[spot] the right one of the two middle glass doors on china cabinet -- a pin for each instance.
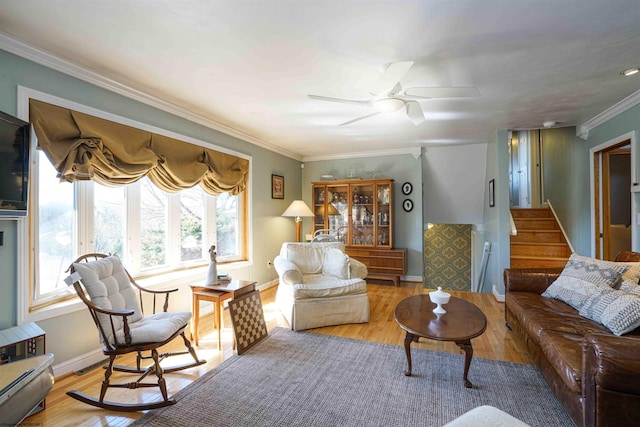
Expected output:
(362, 215)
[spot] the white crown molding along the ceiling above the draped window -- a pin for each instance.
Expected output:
(41, 57)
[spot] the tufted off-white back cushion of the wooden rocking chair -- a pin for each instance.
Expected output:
(108, 286)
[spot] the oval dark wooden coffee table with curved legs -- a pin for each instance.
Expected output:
(462, 322)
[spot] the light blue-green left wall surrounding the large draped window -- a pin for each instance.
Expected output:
(267, 223)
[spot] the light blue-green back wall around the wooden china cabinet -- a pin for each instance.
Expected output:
(402, 168)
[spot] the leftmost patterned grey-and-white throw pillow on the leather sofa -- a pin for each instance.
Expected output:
(582, 278)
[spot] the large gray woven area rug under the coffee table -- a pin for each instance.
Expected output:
(308, 379)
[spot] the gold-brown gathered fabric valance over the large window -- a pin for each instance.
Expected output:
(84, 147)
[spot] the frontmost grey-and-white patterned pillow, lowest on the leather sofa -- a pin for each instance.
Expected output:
(617, 310)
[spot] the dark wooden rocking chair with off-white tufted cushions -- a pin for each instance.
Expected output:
(124, 328)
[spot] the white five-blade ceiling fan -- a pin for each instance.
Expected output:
(388, 95)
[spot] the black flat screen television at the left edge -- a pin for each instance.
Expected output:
(14, 165)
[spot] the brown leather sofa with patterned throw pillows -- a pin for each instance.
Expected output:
(595, 374)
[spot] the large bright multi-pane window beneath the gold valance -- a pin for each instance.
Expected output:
(151, 230)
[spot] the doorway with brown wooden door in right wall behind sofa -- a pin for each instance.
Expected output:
(612, 199)
